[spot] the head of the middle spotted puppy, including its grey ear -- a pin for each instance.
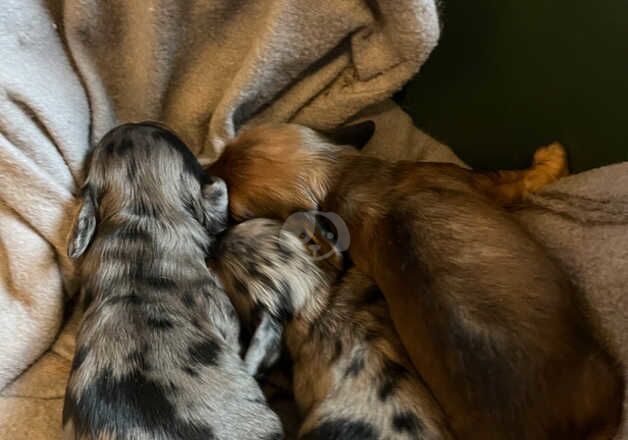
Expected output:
(270, 279)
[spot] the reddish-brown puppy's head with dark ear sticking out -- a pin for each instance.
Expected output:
(275, 170)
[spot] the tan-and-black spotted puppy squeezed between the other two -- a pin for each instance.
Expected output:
(352, 378)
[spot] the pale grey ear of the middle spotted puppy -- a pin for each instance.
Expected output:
(265, 347)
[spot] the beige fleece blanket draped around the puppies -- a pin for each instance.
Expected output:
(72, 69)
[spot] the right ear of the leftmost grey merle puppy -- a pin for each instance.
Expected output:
(215, 205)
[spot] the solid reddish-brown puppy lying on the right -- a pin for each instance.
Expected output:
(486, 317)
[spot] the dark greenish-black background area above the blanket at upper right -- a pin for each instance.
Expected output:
(511, 75)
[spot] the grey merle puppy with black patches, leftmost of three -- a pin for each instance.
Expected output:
(157, 352)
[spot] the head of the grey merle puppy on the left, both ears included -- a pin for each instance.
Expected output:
(145, 170)
